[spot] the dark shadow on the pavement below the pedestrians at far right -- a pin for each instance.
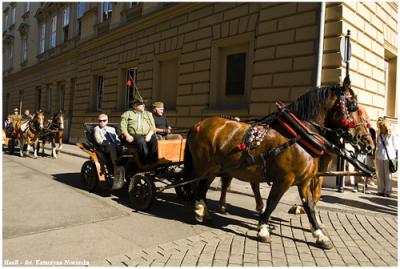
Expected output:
(378, 204)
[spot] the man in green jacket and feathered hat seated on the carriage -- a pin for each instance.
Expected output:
(138, 128)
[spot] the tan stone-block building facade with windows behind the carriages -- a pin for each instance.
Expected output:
(201, 59)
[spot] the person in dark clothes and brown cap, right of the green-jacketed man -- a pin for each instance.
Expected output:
(163, 128)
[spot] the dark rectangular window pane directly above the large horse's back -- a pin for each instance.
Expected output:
(235, 74)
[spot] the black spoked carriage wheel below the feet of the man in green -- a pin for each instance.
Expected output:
(141, 191)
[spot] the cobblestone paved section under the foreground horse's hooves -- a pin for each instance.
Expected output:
(359, 240)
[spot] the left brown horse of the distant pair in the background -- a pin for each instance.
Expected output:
(29, 131)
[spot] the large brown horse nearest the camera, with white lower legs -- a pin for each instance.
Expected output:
(212, 150)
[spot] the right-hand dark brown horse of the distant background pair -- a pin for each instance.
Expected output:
(54, 131)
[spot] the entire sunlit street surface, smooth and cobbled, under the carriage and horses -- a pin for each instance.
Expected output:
(105, 231)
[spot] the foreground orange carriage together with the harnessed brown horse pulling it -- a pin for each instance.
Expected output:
(293, 146)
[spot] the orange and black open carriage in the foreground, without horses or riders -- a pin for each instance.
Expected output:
(143, 180)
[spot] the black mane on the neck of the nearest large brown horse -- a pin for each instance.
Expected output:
(309, 105)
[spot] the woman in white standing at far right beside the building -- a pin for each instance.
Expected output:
(382, 161)
